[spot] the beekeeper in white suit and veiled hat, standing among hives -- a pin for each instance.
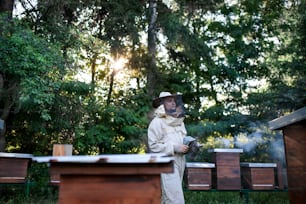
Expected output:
(165, 135)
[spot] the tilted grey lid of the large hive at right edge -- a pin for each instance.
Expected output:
(286, 120)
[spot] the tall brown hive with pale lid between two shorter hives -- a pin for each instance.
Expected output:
(226, 175)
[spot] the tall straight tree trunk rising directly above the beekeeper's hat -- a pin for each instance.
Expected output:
(152, 72)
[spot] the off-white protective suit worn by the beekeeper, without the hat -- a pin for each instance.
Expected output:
(165, 132)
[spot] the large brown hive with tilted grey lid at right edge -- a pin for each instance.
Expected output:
(293, 127)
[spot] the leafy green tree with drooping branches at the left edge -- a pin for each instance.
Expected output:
(27, 65)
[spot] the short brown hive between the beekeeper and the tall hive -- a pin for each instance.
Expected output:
(198, 176)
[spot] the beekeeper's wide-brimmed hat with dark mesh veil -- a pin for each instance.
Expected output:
(178, 111)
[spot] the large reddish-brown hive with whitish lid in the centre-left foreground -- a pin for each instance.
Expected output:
(110, 179)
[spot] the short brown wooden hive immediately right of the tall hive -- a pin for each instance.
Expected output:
(258, 176)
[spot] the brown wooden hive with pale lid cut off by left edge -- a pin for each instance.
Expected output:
(14, 167)
